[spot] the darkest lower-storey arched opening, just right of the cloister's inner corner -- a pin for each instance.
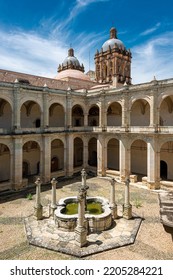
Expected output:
(92, 152)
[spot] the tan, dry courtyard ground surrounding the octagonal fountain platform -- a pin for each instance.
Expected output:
(152, 242)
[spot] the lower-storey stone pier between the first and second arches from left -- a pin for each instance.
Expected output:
(16, 167)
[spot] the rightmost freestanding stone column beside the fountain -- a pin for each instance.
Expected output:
(127, 207)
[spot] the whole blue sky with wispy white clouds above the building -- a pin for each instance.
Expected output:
(36, 35)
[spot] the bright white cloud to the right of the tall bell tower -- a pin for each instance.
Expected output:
(153, 58)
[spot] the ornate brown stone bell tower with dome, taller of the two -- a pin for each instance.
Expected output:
(113, 62)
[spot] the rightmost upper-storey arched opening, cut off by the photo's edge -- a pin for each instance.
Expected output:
(166, 112)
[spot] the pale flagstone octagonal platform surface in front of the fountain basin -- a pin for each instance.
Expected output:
(45, 233)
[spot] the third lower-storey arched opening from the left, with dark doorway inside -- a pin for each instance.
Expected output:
(57, 155)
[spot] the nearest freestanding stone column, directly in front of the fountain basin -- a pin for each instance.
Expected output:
(81, 231)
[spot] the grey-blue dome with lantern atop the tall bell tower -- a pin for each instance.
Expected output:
(112, 41)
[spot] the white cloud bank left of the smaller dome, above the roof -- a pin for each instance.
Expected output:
(30, 53)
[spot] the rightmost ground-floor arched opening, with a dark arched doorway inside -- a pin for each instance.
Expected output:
(166, 161)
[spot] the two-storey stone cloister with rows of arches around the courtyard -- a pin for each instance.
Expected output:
(124, 131)
